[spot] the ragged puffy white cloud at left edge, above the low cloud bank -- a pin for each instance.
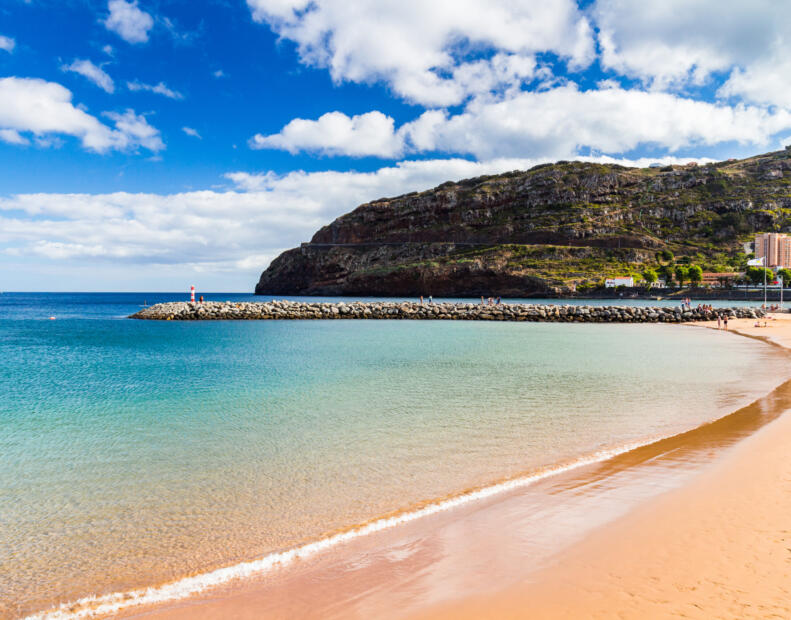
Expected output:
(45, 109)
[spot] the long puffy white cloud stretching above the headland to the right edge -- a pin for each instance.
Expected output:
(554, 123)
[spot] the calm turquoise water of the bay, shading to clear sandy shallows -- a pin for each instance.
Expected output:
(134, 453)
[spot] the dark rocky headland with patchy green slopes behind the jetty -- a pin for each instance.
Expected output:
(546, 230)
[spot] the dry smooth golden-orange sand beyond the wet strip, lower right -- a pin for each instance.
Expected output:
(719, 547)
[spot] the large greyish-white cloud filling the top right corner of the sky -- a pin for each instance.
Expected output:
(675, 42)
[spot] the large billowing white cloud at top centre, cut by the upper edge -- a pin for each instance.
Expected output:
(417, 47)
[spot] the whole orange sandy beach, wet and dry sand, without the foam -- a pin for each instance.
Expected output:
(692, 526)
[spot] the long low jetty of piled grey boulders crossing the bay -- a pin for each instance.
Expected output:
(298, 310)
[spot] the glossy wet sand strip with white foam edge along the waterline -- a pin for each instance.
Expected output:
(367, 573)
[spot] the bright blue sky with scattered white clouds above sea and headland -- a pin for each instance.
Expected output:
(151, 145)
